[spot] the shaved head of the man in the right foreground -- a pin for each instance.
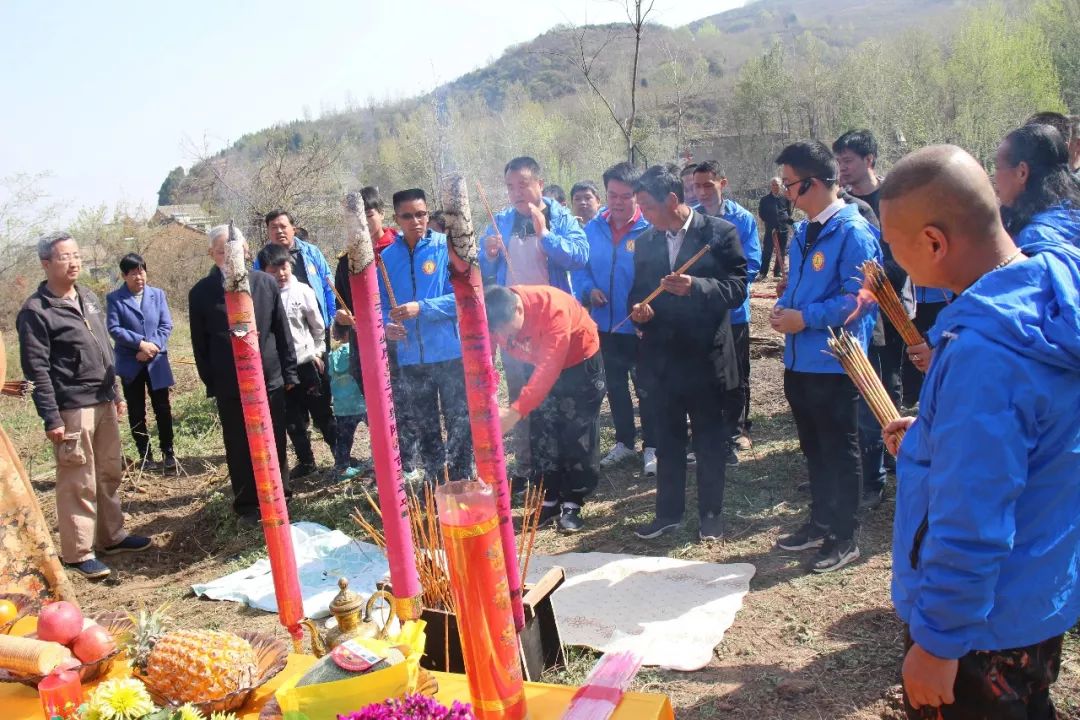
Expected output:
(940, 216)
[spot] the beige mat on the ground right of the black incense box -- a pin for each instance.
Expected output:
(671, 613)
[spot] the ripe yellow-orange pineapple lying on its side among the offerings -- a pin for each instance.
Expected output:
(190, 667)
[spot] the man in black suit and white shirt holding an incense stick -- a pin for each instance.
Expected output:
(687, 352)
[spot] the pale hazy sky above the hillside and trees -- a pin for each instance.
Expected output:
(109, 97)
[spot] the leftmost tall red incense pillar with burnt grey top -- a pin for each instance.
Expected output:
(245, 337)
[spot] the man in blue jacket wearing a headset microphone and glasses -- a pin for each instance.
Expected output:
(825, 278)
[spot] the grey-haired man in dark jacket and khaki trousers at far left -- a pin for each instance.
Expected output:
(65, 354)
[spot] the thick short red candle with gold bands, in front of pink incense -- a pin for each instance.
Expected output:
(470, 524)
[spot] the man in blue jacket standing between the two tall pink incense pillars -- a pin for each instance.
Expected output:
(425, 323)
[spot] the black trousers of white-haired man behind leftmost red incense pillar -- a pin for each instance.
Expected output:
(238, 456)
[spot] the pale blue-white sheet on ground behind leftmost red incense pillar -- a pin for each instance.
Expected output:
(322, 558)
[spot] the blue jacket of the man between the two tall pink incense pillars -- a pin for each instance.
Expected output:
(423, 275)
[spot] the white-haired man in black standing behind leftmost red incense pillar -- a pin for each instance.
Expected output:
(213, 351)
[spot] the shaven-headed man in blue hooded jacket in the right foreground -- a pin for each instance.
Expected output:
(987, 545)
